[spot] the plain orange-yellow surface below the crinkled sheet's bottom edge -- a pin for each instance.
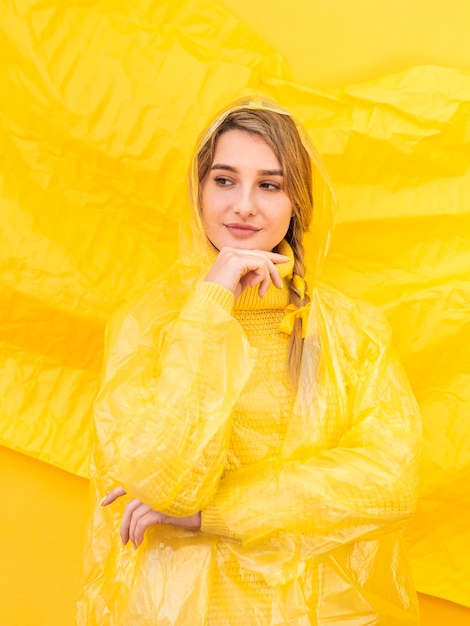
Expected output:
(40, 543)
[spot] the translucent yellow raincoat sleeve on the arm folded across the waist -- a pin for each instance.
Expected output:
(364, 485)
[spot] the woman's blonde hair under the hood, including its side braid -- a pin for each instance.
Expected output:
(280, 133)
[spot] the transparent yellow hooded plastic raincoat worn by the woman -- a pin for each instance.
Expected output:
(308, 535)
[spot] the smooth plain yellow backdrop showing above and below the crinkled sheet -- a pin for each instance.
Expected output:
(326, 43)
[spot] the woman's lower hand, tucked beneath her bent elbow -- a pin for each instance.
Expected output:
(138, 516)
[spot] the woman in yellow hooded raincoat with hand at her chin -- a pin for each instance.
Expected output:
(267, 440)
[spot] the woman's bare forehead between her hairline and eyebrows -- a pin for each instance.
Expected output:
(237, 145)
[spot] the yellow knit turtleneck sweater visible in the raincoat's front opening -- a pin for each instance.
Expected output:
(258, 429)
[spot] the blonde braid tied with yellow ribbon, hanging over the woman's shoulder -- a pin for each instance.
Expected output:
(294, 354)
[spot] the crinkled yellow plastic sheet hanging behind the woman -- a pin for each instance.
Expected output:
(100, 108)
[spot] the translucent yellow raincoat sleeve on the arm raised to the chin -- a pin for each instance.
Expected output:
(163, 412)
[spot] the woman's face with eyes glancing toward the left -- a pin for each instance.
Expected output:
(244, 201)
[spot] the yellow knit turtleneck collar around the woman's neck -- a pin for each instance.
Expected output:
(274, 298)
